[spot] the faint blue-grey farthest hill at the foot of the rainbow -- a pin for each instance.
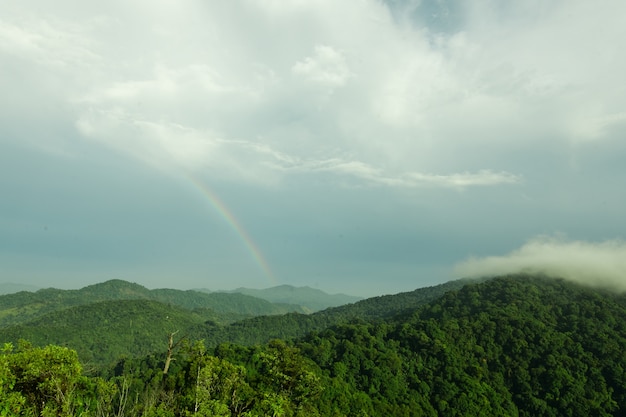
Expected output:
(310, 298)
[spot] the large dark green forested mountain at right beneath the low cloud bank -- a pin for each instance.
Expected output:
(511, 346)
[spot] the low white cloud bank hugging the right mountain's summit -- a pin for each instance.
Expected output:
(598, 264)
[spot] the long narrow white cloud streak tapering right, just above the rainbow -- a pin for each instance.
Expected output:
(173, 147)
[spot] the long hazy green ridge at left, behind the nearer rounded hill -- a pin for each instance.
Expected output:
(24, 306)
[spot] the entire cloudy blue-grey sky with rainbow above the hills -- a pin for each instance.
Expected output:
(363, 146)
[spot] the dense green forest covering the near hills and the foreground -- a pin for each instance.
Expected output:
(516, 345)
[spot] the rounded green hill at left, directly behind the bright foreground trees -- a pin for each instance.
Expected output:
(105, 331)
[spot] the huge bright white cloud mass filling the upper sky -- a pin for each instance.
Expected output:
(402, 96)
